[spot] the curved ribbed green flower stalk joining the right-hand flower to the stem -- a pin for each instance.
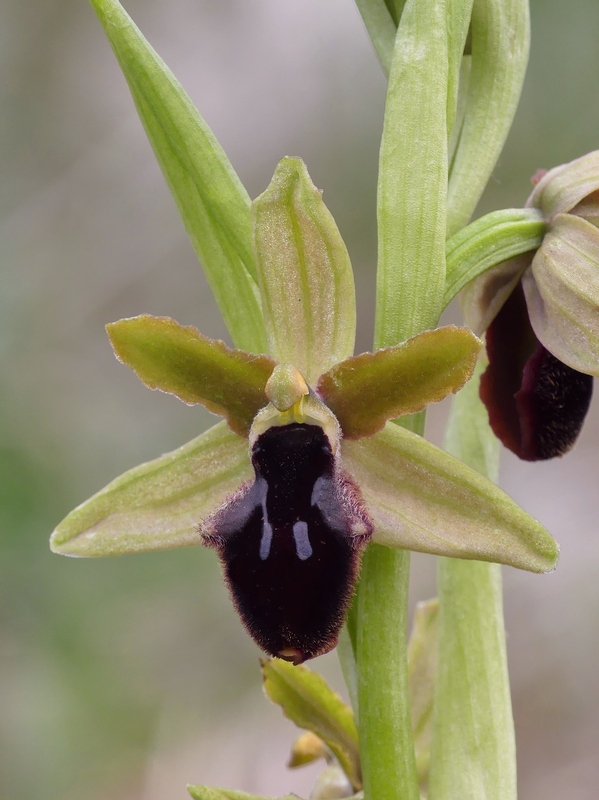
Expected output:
(489, 241)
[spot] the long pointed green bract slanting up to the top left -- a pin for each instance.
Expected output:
(211, 199)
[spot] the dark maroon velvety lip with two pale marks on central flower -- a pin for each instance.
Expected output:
(290, 543)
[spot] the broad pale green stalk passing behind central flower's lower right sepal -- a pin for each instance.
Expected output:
(473, 752)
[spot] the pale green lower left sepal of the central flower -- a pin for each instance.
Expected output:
(158, 505)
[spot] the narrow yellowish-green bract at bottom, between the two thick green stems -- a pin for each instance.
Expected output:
(422, 675)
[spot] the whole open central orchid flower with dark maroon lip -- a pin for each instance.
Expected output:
(307, 468)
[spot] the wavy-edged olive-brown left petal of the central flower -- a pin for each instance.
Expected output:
(177, 359)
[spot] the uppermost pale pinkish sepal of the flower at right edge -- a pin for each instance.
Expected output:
(564, 187)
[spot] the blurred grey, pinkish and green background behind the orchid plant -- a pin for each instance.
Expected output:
(128, 678)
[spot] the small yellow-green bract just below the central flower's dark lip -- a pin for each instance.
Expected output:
(307, 700)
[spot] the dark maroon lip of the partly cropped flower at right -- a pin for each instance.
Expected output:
(536, 404)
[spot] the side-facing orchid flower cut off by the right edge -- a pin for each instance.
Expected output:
(539, 311)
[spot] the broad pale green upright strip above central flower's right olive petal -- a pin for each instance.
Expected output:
(412, 181)
